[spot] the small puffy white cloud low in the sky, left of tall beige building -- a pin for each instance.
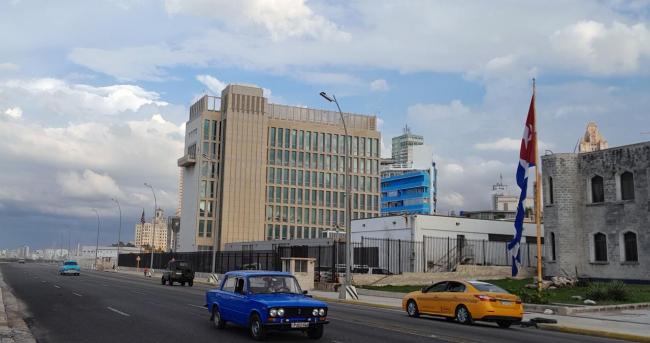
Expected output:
(88, 184)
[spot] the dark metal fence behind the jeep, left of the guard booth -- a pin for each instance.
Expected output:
(201, 261)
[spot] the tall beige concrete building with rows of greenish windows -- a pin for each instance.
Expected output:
(259, 171)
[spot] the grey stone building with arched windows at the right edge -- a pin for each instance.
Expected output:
(597, 213)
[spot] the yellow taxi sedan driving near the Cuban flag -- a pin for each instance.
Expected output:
(465, 301)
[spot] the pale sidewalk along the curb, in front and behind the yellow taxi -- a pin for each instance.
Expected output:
(633, 325)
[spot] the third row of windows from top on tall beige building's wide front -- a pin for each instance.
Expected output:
(297, 177)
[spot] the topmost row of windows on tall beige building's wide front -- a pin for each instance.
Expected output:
(324, 142)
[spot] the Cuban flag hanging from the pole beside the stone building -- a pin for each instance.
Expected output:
(526, 160)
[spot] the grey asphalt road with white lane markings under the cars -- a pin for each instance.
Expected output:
(110, 307)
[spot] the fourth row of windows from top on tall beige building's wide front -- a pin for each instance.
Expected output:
(298, 196)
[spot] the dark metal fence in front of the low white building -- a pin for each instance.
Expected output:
(432, 254)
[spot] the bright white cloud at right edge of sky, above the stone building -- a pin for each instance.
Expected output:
(594, 47)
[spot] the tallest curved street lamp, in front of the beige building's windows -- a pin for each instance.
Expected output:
(348, 289)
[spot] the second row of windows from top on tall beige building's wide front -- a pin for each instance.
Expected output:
(321, 161)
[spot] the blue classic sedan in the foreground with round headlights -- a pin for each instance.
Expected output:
(265, 301)
